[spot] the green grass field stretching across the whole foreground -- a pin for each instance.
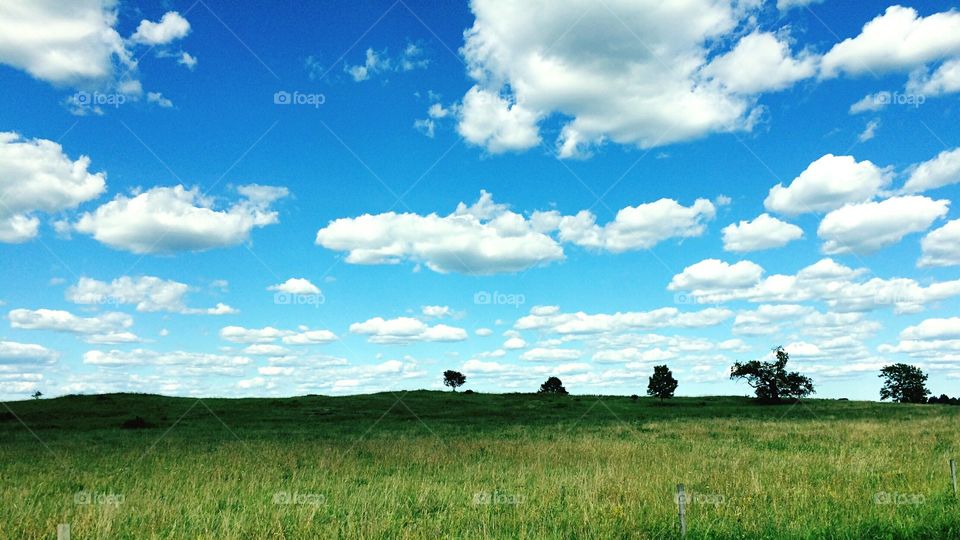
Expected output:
(443, 465)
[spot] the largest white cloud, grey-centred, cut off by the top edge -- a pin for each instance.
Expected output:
(629, 71)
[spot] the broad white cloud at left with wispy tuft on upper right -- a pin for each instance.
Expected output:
(171, 219)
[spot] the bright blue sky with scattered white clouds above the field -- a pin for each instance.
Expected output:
(321, 198)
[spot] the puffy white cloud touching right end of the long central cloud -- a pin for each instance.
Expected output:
(638, 227)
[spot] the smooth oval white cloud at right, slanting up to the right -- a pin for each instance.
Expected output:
(868, 227)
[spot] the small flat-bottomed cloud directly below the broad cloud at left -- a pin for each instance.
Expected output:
(148, 293)
